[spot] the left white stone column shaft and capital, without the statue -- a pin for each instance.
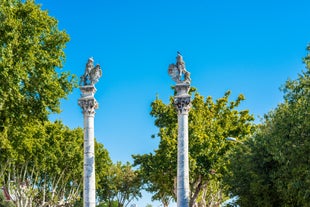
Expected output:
(89, 104)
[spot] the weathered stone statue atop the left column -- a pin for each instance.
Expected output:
(92, 73)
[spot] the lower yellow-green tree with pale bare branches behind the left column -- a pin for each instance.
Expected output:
(48, 165)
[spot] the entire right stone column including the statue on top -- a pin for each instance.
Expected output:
(182, 102)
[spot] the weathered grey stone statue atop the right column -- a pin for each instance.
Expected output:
(178, 71)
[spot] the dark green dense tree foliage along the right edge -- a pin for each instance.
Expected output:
(273, 168)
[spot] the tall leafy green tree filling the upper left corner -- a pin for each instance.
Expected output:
(31, 54)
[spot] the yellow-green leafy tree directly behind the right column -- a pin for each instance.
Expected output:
(209, 124)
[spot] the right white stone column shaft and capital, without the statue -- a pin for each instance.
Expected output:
(182, 103)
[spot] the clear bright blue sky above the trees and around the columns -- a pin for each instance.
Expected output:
(248, 47)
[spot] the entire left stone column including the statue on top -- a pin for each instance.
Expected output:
(88, 104)
